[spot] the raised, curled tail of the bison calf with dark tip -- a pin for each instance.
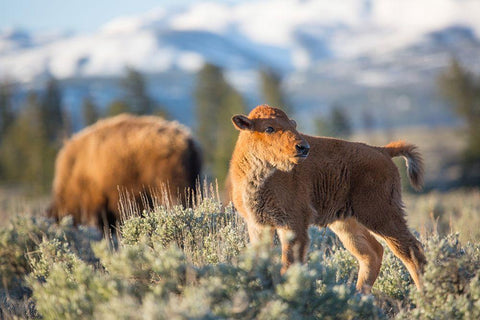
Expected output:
(413, 159)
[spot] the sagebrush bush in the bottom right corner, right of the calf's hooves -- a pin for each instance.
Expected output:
(451, 288)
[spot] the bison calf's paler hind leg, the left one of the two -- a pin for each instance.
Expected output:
(364, 247)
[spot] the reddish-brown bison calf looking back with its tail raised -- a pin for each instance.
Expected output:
(353, 188)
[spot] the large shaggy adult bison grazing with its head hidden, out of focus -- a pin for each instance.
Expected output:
(138, 155)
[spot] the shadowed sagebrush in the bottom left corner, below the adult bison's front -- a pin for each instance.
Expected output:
(20, 246)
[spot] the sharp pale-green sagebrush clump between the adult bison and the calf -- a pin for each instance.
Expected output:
(209, 233)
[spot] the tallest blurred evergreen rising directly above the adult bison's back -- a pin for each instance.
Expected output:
(136, 95)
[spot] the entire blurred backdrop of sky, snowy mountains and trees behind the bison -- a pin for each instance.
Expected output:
(363, 70)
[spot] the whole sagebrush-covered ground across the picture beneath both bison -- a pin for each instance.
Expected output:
(195, 263)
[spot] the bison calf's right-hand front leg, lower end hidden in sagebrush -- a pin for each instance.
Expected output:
(294, 245)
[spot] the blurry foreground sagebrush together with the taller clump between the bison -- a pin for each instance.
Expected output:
(156, 272)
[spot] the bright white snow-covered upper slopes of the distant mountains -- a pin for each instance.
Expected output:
(287, 35)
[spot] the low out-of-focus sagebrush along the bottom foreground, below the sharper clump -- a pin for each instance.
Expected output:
(160, 282)
